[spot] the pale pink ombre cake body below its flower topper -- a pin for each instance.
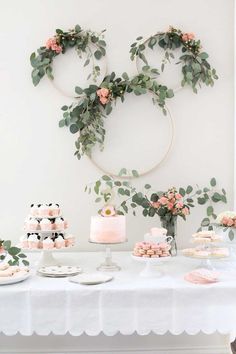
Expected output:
(110, 229)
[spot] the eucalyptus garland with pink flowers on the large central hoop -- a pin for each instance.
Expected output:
(86, 116)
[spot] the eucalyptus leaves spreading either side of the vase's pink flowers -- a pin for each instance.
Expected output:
(126, 197)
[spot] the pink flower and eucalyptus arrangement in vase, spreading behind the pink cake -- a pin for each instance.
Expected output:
(168, 205)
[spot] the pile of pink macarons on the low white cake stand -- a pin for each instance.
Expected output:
(151, 250)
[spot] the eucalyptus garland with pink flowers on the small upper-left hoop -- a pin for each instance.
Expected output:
(83, 41)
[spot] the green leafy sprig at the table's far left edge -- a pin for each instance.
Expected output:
(17, 256)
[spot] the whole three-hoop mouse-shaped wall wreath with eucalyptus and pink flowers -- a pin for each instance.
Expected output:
(86, 116)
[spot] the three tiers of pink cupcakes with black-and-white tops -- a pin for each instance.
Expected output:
(45, 229)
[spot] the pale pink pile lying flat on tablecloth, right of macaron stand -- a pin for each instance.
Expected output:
(202, 276)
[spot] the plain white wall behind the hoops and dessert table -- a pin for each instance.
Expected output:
(37, 162)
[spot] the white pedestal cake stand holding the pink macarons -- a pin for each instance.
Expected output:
(150, 269)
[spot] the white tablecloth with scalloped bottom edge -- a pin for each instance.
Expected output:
(127, 304)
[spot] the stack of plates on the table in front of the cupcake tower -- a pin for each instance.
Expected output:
(59, 271)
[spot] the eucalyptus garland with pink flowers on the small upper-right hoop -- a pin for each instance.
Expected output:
(196, 69)
